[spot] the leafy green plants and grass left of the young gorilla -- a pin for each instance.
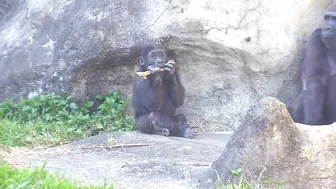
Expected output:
(52, 119)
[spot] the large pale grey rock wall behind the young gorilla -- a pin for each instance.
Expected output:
(230, 53)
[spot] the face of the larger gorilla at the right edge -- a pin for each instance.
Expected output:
(328, 33)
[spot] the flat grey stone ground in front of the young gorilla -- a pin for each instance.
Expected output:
(167, 162)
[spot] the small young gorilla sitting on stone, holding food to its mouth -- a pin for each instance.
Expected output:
(156, 97)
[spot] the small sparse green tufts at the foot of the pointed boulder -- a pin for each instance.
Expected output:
(242, 184)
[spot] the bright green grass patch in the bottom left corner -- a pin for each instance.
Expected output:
(11, 178)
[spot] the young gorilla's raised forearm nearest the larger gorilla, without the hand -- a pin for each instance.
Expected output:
(176, 91)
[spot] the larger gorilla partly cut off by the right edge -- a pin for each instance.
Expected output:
(316, 104)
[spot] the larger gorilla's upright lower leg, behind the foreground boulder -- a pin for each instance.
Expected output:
(314, 100)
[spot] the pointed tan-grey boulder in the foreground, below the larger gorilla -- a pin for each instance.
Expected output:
(269, 146)
